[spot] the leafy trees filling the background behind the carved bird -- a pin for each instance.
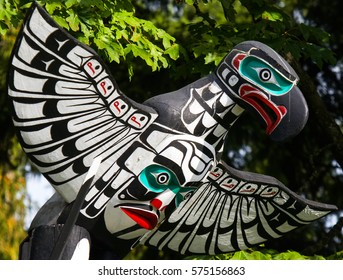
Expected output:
(154, 47)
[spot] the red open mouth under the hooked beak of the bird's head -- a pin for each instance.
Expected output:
(271, 113)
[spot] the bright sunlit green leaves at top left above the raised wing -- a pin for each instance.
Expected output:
(109, 26)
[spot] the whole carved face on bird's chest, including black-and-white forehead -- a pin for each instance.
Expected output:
(154, 188)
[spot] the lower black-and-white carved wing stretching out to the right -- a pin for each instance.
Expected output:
(234, 210)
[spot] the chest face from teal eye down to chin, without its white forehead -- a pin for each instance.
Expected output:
(143, 204)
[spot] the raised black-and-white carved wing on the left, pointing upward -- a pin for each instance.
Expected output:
(68, 108)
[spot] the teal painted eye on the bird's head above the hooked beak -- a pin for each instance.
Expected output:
(263, 75)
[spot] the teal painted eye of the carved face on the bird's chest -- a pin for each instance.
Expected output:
(158, 178)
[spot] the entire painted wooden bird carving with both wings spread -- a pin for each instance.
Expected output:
(128, 173)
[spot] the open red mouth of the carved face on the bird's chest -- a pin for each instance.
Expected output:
(145, 218)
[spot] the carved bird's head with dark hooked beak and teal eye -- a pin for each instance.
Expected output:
(261, 81)
